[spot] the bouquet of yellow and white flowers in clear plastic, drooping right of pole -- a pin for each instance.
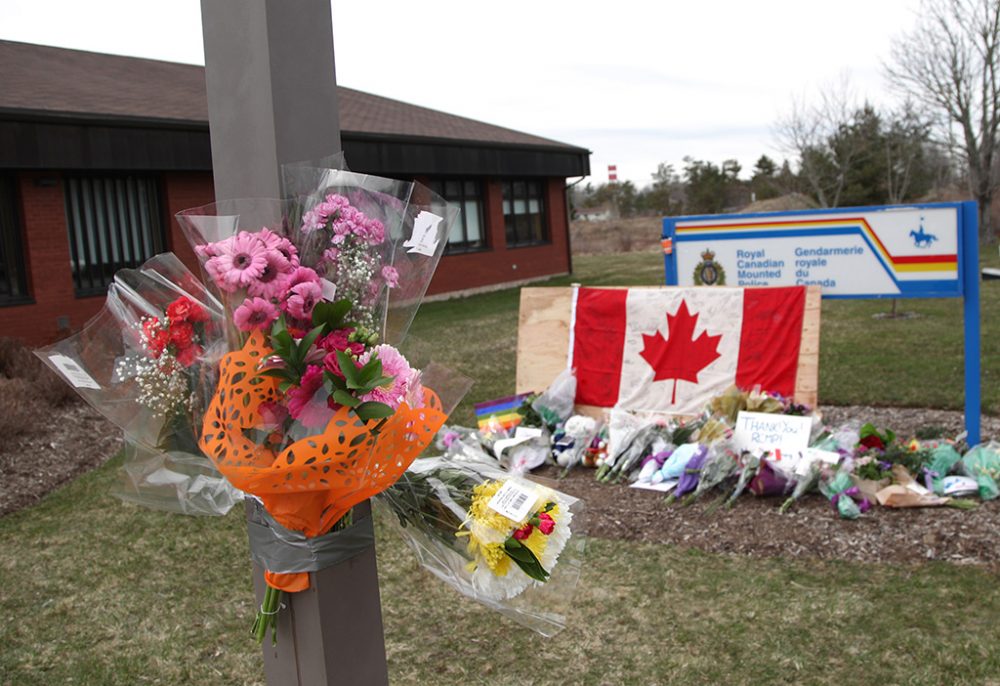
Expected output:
(512, 544)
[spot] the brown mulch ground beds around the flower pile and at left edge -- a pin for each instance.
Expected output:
(33, 464)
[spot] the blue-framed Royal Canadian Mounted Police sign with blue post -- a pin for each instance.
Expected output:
(910, 251)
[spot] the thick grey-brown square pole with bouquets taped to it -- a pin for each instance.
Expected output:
(272, 99)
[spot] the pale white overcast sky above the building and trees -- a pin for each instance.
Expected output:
(636, 82)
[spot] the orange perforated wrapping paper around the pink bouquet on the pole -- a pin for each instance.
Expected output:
(310, 485)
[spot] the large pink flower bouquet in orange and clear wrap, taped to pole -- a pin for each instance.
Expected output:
(316, 408)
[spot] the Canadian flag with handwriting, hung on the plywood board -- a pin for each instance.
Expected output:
(672, 350)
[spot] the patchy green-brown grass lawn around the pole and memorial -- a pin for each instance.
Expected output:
(96, 592)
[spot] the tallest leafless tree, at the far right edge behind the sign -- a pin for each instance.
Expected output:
(950, 61)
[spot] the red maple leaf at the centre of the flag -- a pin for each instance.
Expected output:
(680, 357)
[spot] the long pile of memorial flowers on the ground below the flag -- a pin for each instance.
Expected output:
(856, 466)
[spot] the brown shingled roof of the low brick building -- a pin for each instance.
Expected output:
(57, 81)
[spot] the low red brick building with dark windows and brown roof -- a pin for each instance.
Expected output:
(98, 152)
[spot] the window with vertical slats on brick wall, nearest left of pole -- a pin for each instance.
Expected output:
(114, 222)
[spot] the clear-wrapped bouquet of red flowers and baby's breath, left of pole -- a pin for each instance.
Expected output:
(145, 362)
